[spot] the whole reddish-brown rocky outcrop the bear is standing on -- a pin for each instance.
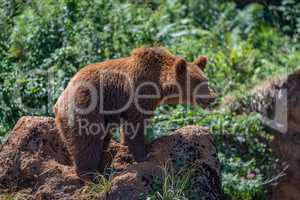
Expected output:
(35, 163)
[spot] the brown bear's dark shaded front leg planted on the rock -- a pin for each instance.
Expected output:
(132, 135)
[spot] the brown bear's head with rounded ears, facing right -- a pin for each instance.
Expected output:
(188, 84)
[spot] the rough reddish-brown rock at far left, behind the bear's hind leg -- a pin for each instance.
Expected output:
(34, 158)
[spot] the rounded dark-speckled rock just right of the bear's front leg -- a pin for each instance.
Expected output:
(188, 148)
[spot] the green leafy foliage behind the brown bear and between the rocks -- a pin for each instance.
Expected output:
(43, 44)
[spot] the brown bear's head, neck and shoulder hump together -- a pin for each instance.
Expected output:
(181, 82)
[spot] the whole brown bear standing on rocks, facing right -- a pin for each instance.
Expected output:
(123, 93)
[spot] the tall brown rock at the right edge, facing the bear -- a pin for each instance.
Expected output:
(278, 102)
